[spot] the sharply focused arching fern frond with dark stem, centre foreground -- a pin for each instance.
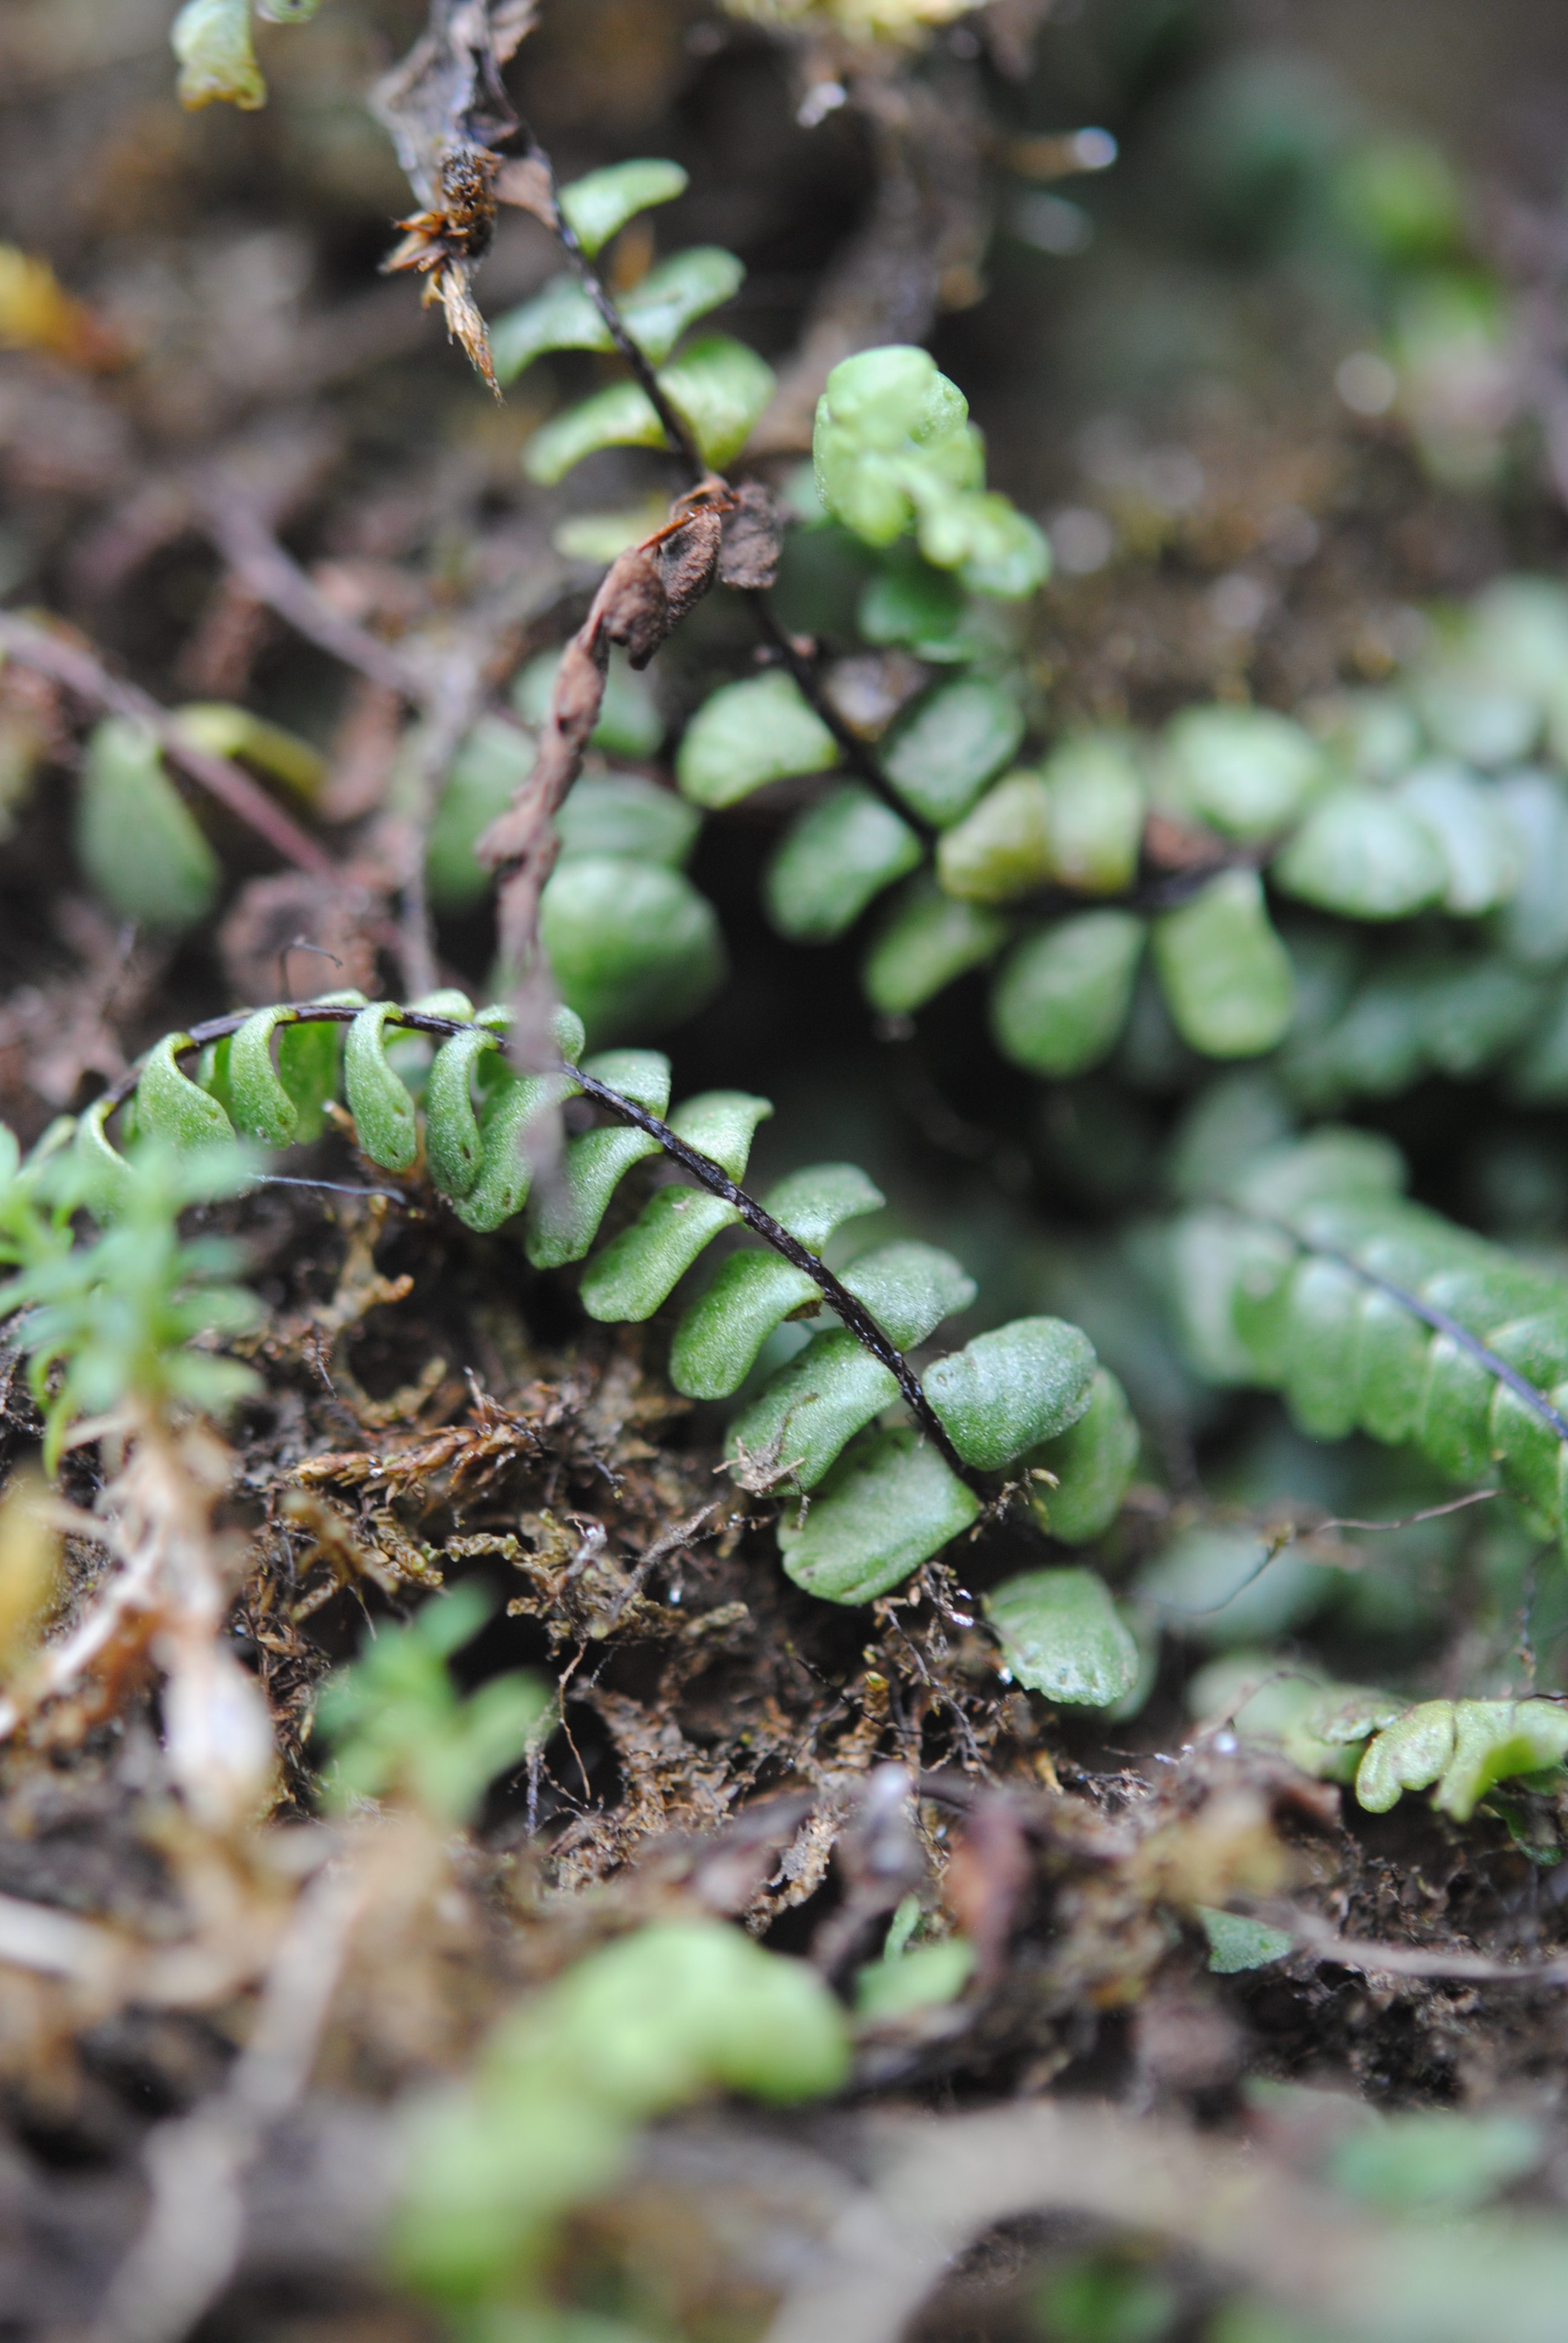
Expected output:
(882, 1501)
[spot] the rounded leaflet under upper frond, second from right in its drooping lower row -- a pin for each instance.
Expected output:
(1063, 995)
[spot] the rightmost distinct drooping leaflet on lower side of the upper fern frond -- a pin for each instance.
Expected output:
(1225, 971)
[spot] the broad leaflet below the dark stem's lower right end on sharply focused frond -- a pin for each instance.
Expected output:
(885, 1510)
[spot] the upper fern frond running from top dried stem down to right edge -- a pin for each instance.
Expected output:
(1377, 810)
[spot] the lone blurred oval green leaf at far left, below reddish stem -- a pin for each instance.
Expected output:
(137, 840)
